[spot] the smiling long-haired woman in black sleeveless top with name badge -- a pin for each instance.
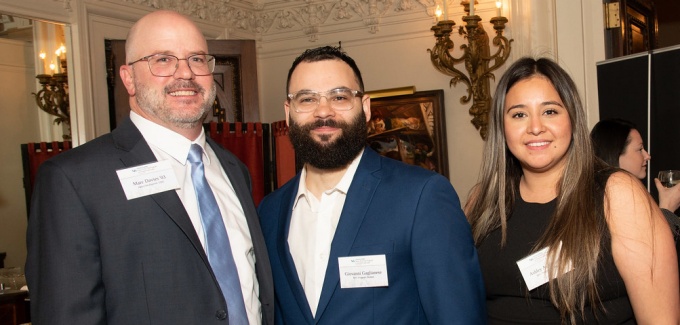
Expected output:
(561, 236)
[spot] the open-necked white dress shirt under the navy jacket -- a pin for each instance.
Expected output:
(312, 227)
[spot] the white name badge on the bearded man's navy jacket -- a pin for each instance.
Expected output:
(363, 271)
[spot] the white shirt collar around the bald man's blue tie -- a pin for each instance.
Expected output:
(168, 141)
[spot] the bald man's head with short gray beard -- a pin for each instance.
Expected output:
(180, 101)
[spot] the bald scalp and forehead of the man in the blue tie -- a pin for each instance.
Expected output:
(153, 32)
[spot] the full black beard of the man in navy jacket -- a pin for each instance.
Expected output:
(326, 154)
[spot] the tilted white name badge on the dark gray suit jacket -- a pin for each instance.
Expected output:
(147, 179)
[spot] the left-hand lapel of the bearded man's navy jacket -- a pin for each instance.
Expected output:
(284, 252)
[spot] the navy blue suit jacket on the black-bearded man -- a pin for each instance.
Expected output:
(410, 215)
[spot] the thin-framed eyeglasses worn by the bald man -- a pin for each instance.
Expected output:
(165, 65)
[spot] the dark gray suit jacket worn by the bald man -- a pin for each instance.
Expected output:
(95, 257)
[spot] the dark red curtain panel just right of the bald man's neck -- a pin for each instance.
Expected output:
(244, 141)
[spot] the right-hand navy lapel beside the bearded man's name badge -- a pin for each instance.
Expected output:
(358, 199)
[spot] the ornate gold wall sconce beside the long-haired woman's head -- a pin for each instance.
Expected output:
(477, 58)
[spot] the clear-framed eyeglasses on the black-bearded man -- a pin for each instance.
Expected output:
(339, 99)
